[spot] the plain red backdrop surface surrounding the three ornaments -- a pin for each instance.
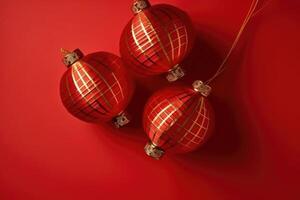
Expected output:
(45, 153)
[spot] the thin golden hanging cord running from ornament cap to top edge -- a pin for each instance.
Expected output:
(251, 13)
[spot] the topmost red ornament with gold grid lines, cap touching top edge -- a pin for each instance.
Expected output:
(157, 39)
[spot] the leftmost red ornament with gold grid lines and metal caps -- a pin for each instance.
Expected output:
(95, 87)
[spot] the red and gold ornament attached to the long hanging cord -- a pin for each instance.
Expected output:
(178, 119)
